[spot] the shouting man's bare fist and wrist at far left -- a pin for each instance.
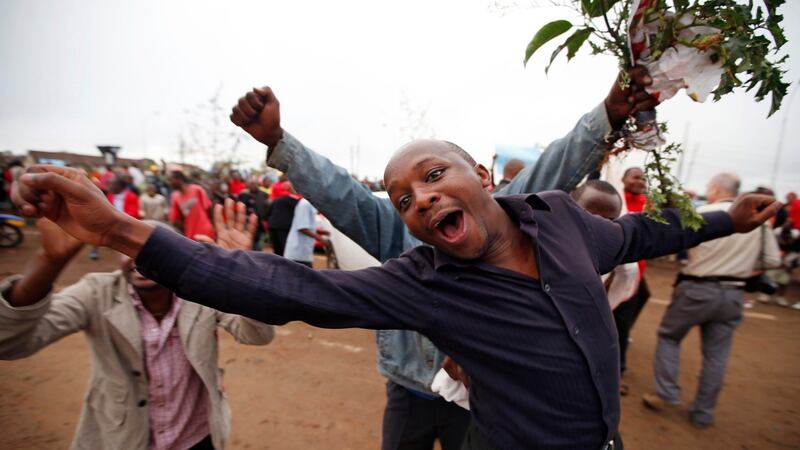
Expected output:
(70, 200)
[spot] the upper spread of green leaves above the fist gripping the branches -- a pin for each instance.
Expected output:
(746, 42)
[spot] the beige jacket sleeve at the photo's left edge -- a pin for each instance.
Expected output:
(26, 330)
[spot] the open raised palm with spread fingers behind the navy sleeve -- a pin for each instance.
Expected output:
(235, 234)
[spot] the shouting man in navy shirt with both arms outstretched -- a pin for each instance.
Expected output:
(509, 289)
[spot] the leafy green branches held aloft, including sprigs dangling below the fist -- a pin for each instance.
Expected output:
(744, 38)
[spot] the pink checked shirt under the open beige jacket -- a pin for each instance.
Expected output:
(177, 398)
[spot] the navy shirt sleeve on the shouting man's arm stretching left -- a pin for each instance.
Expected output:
(275, 290)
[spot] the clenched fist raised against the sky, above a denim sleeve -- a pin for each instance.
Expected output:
(259, 114)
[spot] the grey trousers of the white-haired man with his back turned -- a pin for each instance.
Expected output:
(717, 310)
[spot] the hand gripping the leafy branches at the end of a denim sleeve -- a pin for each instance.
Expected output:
(622, 103)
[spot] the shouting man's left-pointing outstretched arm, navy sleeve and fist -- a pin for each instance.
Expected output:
(261, 286)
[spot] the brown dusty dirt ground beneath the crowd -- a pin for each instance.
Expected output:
(315, 388)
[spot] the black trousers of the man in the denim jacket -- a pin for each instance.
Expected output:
(414, 423)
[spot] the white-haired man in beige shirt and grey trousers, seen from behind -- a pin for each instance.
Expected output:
(709, 293)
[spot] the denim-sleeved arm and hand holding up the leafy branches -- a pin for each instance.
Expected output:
(566, 161)
